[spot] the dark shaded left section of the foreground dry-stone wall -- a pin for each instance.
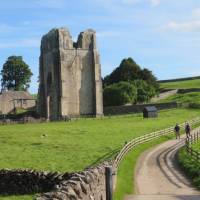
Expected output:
(29, 181)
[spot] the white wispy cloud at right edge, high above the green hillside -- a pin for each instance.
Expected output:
(189, 26)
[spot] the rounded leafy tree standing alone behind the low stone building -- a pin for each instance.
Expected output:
(16, 74)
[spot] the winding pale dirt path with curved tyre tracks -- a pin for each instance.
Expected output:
(159, 178)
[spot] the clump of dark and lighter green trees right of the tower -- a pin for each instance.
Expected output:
(139, 85)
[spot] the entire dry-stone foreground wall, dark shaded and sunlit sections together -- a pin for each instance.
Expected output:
(89, 184)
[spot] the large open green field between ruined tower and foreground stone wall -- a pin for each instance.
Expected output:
(75, 145)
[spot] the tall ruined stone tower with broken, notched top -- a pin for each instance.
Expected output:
(70, 75)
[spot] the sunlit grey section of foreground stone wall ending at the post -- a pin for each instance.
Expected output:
(87, 185)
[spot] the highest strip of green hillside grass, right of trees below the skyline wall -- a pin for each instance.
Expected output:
(181, 84)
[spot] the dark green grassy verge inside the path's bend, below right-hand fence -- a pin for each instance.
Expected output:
(190, 166)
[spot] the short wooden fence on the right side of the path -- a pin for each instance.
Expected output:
(195, 138)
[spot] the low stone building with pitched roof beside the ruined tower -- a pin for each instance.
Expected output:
(9, 100)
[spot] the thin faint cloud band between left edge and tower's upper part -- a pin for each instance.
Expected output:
(29, 42)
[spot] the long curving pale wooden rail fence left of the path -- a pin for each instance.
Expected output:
(143, 139)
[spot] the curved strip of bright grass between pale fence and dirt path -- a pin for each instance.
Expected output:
(125, 177)
